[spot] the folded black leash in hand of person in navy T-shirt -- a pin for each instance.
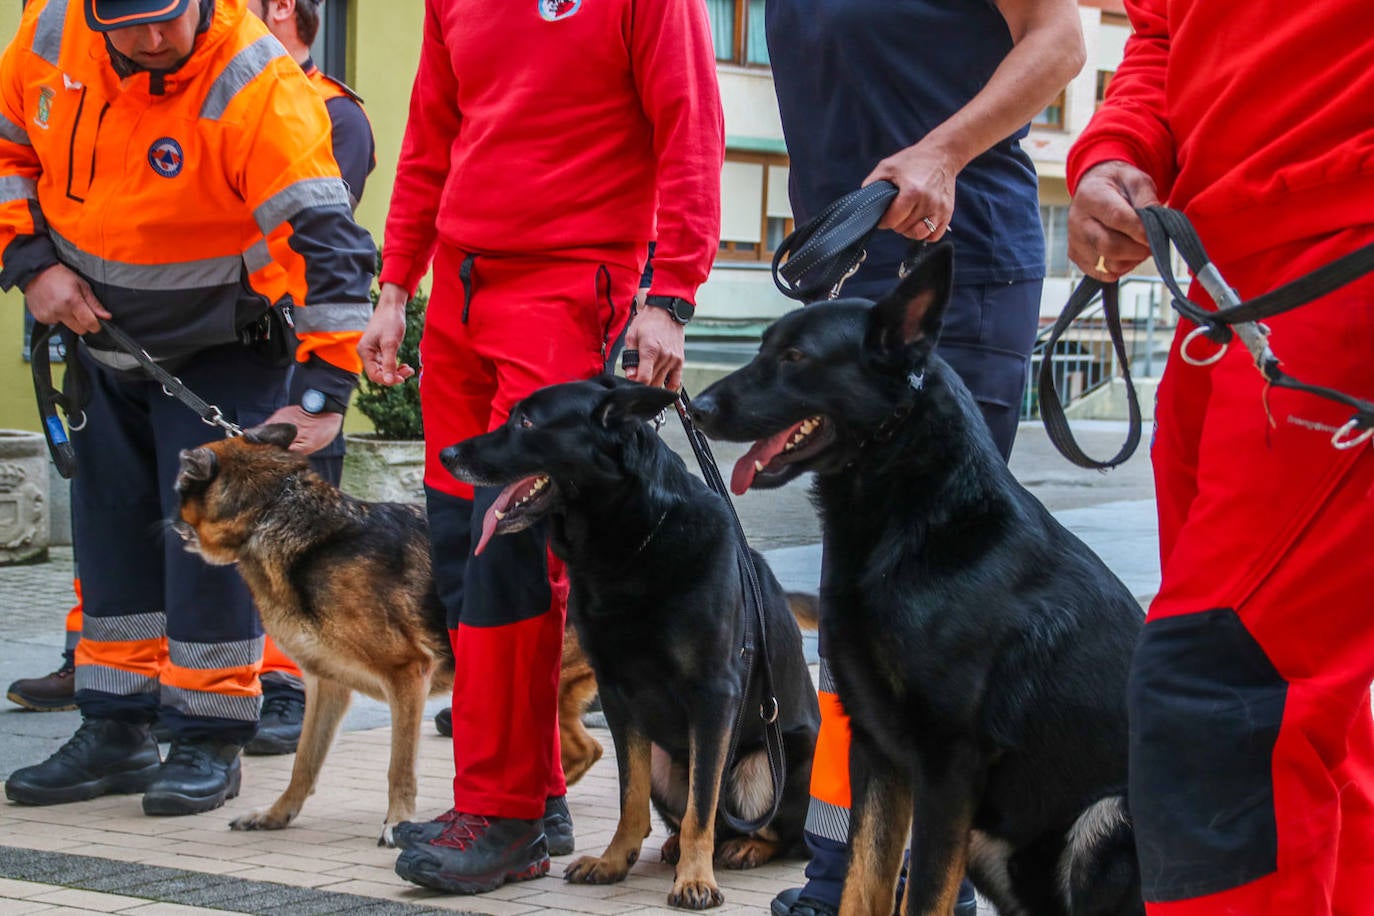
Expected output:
(815, 260)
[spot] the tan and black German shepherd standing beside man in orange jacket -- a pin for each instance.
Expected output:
(346, 588)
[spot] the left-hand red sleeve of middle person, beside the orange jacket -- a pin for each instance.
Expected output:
(412, 234)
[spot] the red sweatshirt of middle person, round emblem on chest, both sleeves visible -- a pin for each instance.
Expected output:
(539, 126)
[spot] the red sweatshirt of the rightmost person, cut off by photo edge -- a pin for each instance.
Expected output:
(1255, 119)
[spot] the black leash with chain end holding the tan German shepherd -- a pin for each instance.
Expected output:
(50, 399)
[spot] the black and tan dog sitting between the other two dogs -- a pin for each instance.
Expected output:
(657, 601)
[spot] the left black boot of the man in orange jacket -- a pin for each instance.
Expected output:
(105, 757)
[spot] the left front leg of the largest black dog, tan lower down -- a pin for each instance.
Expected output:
(880, 819)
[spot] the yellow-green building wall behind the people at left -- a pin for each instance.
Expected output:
(384, 49)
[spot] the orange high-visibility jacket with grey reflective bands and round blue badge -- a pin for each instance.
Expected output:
(172, 194)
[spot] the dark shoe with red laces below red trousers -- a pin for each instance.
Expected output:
(475, 855)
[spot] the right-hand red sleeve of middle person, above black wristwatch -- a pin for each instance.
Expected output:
(675, 73)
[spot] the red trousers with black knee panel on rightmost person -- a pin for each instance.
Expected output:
(1252, 745)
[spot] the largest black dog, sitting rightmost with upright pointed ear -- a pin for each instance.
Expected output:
(979, 648)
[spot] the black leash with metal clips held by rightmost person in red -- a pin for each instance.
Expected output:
(1232, 319)
